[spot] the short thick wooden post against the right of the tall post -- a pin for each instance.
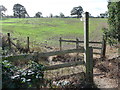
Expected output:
(90, 64)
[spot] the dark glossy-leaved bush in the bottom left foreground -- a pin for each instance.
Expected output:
(12, 77)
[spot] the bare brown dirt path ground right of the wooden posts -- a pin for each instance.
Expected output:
(106, 71)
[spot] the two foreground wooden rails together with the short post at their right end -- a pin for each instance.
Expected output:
(38, 55)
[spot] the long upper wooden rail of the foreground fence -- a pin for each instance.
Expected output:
(38, 55)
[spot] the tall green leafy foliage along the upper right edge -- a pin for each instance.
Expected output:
(114, 21)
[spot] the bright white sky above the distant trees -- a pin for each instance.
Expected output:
(95, 7)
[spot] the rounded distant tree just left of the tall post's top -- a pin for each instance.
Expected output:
(77, 11)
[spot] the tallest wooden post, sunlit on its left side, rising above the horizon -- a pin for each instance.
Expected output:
(86, 43)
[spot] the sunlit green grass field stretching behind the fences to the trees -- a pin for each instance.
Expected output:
(50, 29)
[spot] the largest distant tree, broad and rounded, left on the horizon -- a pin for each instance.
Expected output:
(19, 11)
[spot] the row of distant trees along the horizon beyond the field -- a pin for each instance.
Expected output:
(19, 11)
